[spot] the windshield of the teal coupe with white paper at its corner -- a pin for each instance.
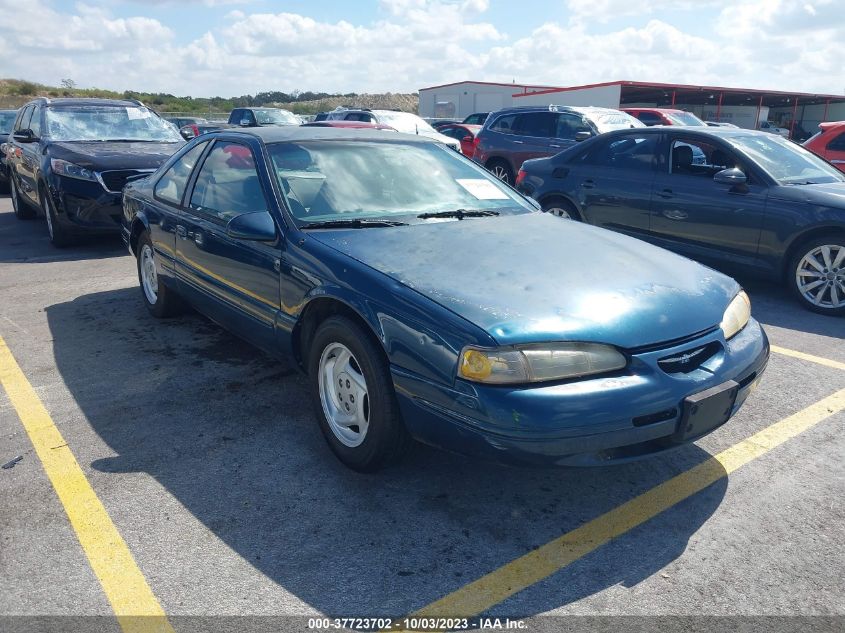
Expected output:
(358, 180)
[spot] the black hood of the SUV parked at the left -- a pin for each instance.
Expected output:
(102, 155)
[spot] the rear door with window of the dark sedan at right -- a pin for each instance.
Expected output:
(613, 181)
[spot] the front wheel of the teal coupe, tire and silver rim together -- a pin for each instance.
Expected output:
(354, 397)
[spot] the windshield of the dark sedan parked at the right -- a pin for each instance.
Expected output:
(786, 162)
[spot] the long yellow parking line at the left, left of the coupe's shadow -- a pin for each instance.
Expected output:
(130, 596)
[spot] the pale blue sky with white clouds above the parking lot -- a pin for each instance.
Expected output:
(235, 47)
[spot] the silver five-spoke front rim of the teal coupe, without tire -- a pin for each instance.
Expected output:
(343, 394)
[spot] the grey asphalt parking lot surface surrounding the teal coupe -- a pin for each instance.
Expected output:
(209, 464)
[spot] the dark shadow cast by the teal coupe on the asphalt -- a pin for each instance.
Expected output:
(230, 434)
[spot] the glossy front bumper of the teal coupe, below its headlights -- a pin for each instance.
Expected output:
(584, 422)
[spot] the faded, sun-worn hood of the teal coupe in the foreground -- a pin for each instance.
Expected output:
(535, 277)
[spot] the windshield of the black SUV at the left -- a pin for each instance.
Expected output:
(108, 123)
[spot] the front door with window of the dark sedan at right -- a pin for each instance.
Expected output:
(696, 216)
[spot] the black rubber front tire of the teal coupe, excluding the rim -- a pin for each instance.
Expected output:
(374, 451)
